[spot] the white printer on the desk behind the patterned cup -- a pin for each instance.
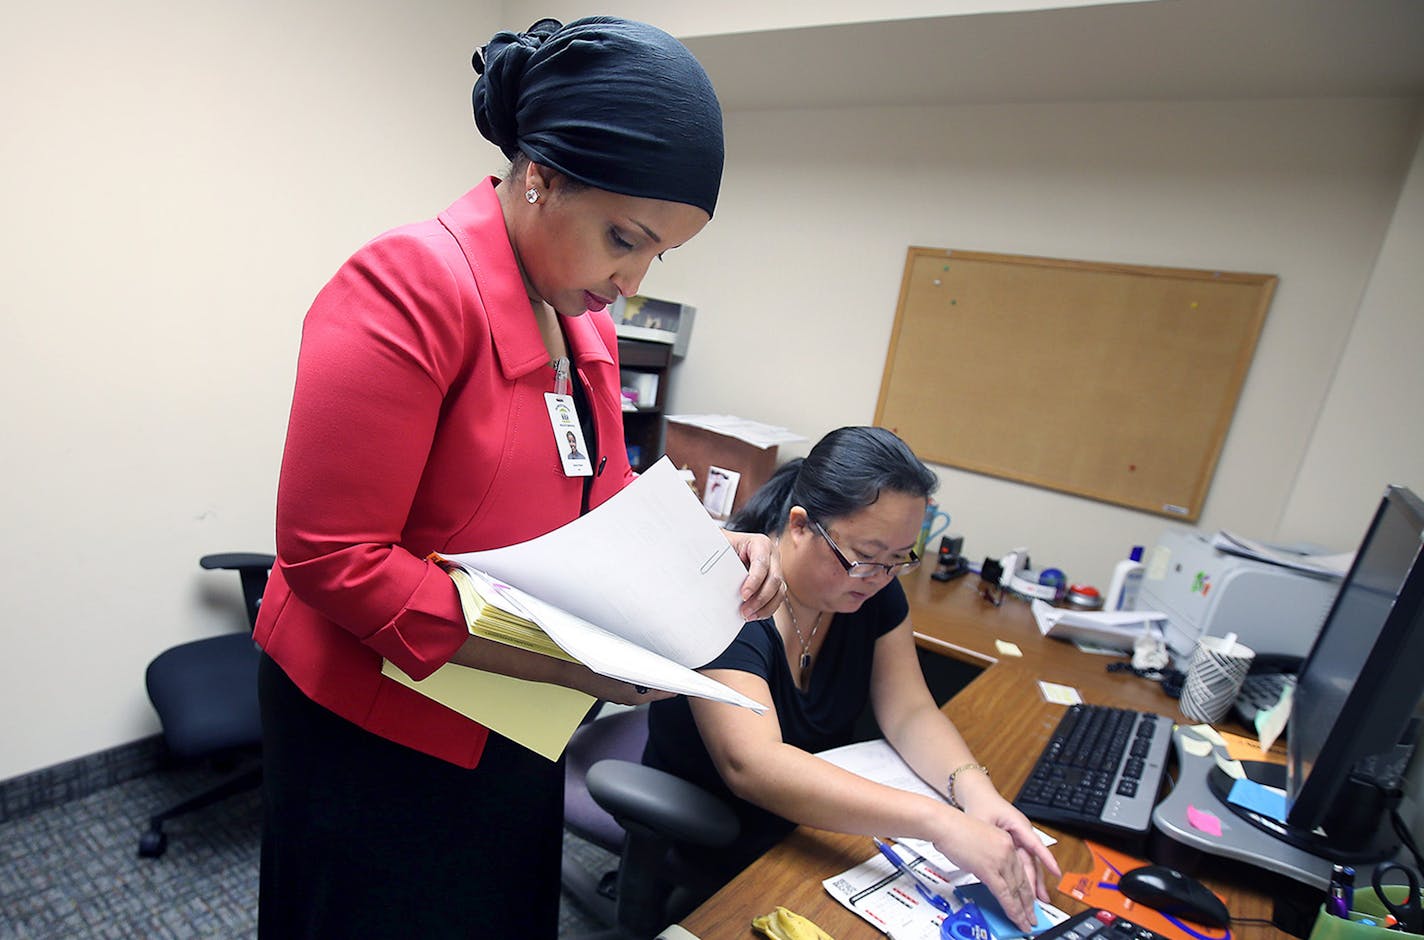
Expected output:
(1204, 592)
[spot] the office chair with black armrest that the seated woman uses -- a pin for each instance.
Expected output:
(637, 813)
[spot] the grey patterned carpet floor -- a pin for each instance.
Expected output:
(73, 871)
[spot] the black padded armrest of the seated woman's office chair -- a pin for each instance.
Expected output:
(661, 803)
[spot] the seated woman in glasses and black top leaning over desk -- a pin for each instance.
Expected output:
(845, 521)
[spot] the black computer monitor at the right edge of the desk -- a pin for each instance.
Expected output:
(1359, 691)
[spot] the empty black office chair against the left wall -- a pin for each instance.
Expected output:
(206, 694)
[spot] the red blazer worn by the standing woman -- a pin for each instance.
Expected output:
(419, 425)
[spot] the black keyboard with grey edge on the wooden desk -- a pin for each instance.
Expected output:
(1100, 773)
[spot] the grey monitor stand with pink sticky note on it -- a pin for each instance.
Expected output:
(1260, 842)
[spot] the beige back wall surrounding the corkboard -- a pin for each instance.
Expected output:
(800, 276)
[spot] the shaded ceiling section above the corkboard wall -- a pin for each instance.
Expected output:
(1163, 51)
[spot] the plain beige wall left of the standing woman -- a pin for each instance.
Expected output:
(179, 183)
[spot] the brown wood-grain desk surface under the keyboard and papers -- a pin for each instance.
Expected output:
(1003, 719)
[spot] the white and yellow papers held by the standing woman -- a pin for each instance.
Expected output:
(646, 589)
